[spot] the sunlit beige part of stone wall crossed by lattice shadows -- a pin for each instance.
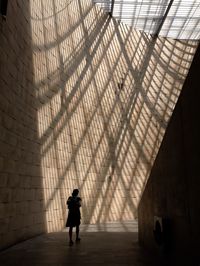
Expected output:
(105, 95)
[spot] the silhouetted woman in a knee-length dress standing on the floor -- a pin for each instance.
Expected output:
(74, 215)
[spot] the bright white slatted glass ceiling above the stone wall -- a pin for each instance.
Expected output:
(177, 19)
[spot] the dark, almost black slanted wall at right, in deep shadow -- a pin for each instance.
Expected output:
(173, 188)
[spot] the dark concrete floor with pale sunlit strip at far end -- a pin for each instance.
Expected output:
(110, 244)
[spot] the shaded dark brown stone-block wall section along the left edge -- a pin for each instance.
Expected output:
(21, 186)
